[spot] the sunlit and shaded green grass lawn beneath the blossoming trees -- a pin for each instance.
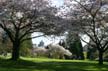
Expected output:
(44, 64)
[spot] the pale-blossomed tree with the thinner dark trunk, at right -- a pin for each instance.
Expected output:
(91, 16)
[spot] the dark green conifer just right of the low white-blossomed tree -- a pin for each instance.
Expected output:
(75, 46)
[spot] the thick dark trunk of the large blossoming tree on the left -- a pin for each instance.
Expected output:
(15, 51)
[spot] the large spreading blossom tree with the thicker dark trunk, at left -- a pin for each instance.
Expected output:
(20, 18)
